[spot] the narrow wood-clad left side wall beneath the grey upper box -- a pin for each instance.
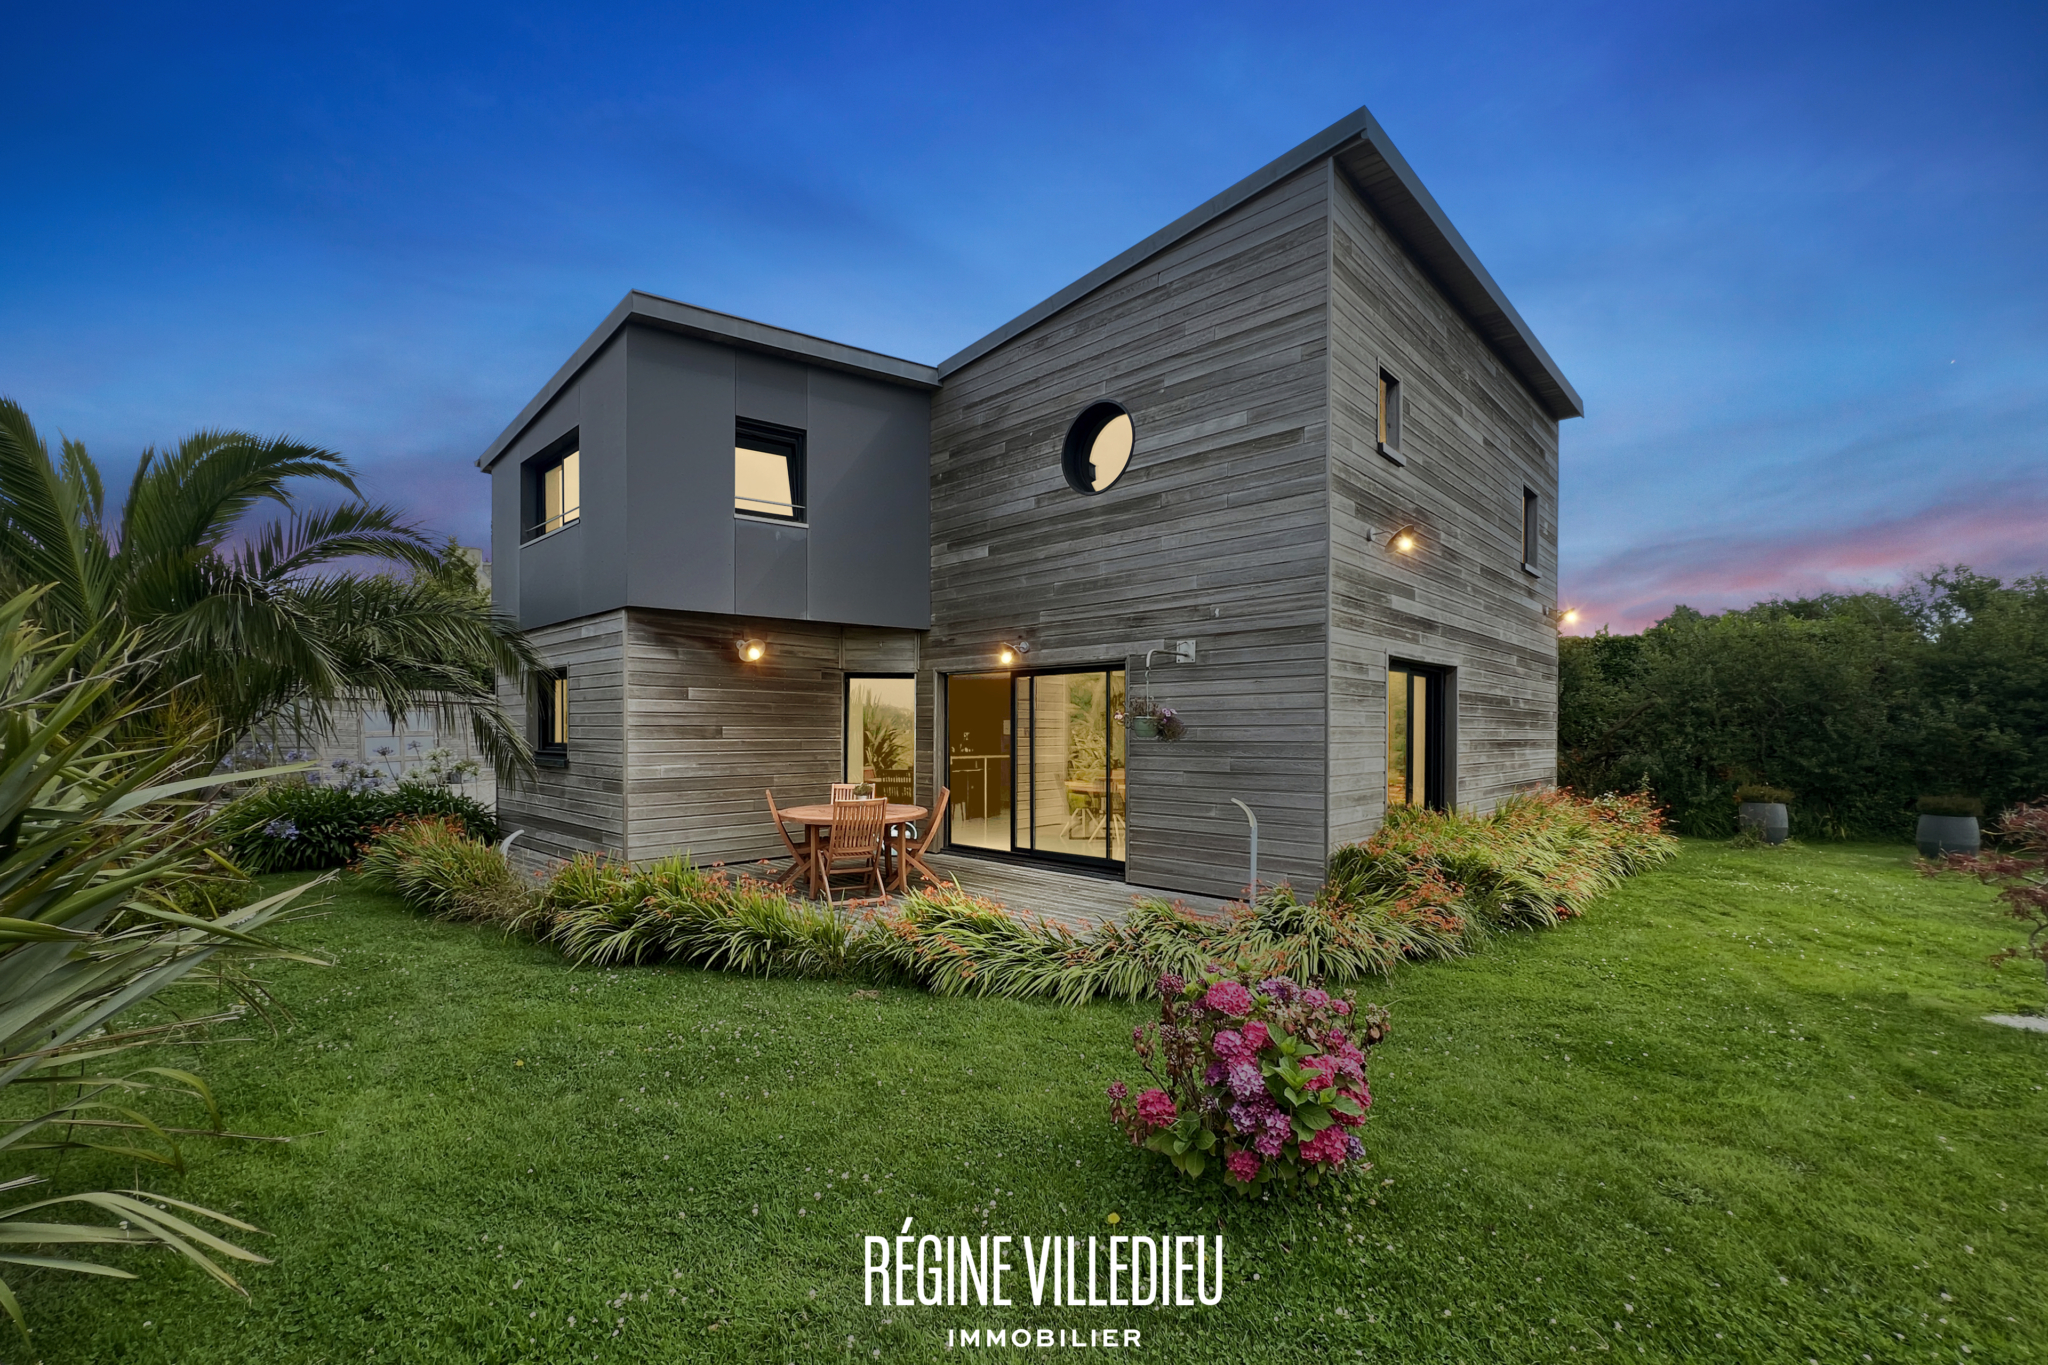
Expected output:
(577, 809)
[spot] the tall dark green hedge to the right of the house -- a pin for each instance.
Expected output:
(1857, 703)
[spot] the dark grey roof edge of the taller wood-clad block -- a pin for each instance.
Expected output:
(1383, 177)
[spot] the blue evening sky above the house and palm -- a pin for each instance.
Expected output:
(1793, 257)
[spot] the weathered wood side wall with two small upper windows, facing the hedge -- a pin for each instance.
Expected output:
(1474, 439)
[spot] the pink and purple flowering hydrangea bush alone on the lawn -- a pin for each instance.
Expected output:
(1256, 1082)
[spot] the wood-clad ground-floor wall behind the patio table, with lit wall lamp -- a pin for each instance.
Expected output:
(710, 734)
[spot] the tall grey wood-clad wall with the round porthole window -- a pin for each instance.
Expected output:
(1215, 533)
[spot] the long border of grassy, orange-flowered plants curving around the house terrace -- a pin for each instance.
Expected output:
(1426, 887)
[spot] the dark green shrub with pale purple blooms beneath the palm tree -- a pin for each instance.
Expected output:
(300, 826)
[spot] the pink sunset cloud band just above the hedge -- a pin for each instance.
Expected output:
(1713, 574)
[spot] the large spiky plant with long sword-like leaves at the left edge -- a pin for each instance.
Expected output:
(97, 844)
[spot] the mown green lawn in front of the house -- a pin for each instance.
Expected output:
(1742, 1112)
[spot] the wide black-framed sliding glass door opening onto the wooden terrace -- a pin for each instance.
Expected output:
(1039, 764)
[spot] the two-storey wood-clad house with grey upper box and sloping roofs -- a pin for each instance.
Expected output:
(1297, 451)
